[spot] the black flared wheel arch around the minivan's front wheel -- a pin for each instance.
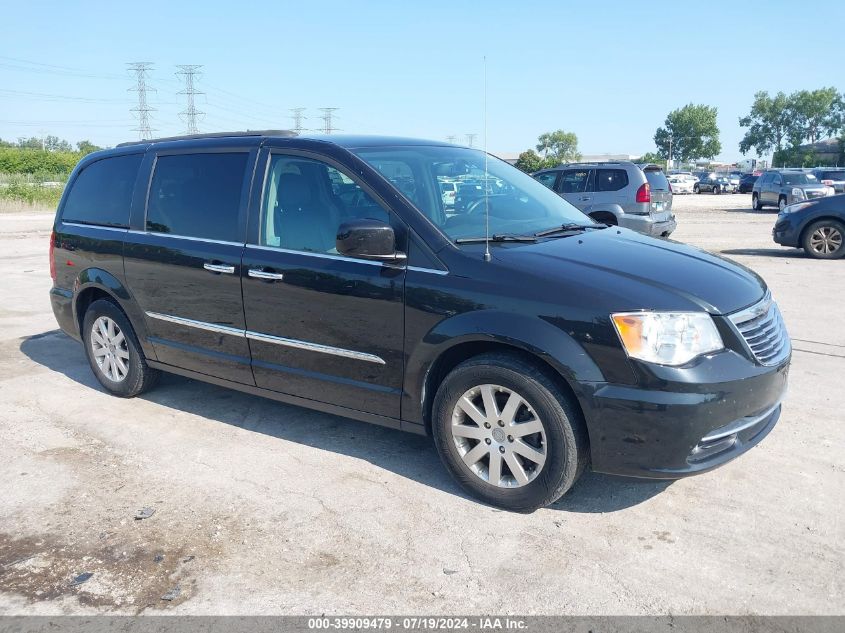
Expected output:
(533, 335)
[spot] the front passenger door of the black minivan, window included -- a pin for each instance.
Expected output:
(321, 326)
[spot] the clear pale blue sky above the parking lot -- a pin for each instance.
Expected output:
(609, 71)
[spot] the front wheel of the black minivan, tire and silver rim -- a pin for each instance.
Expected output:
(557, 433)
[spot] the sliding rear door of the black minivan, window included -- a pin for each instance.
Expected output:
(183, 259)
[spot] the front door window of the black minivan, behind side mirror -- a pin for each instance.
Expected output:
(306, 200)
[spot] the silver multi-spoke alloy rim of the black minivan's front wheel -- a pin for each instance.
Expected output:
(499, 436)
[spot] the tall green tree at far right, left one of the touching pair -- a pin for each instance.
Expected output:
(770, 123)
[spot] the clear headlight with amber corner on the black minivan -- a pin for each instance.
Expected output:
(667, 338)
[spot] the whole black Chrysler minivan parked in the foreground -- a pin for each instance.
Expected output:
(327, 272)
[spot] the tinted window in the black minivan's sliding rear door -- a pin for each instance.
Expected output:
(197, 195)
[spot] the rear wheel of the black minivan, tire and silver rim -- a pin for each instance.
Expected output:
(113, 351)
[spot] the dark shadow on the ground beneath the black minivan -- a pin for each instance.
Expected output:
(405, 454)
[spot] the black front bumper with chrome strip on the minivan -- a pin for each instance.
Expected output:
(693, 423)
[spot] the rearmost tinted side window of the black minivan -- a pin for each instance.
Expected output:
(102, 193)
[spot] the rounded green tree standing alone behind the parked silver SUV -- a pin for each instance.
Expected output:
(690, 132)
